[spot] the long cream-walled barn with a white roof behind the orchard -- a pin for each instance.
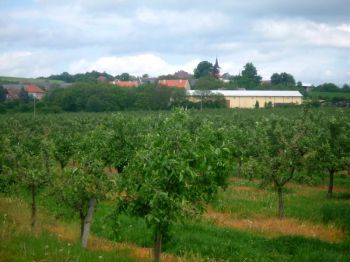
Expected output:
(249, 98)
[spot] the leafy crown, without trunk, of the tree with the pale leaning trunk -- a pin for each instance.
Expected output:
(86, 178)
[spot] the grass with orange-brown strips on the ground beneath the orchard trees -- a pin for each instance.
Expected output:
(240, 225)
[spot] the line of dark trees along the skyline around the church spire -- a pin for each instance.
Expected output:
(248, 78)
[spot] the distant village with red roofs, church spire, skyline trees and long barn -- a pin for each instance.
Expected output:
(246, 90)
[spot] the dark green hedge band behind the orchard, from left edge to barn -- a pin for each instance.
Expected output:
(103, 97)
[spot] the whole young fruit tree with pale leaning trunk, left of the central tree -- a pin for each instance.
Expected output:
(81, 185)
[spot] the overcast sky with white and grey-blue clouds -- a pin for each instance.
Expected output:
(307, 38)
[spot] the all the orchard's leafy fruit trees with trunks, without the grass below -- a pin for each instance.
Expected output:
(165, 168)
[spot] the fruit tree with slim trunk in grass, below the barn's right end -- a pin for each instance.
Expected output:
(282, 150)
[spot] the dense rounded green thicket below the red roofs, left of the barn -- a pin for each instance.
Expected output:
(92, 97)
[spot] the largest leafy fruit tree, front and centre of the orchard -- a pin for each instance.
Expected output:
(179, 169)
